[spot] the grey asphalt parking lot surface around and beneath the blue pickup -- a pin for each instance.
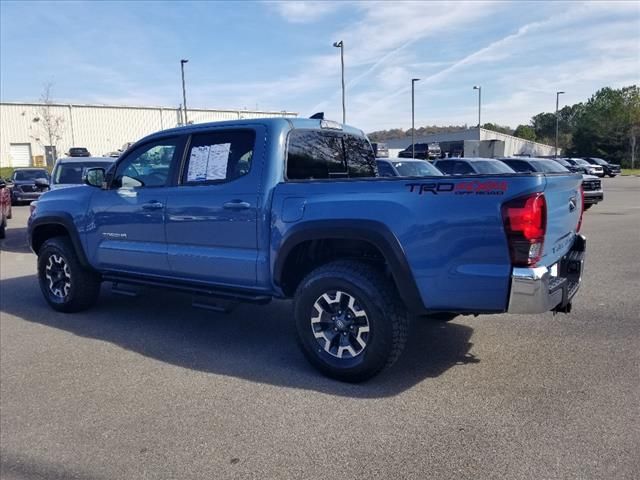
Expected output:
(149, 387)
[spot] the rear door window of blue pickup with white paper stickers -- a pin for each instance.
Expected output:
(219, 156)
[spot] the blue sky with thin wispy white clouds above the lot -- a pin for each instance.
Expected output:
(279, 56)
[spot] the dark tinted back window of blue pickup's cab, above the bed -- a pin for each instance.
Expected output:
(314, 154)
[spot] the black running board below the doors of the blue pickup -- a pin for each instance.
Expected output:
(228, 294)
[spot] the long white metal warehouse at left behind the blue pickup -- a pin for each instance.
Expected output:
(100, 128)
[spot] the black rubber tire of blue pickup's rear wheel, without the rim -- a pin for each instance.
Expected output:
(374, 294)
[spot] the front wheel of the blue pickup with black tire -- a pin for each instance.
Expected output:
(66, 285)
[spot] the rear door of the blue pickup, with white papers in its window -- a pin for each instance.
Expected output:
(212, 214)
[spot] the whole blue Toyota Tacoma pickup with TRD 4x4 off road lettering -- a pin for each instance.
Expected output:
(252, 210)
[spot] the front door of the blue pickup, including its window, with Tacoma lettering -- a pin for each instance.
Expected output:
(126, 228)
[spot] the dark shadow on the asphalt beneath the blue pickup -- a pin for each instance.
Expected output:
(256, 343)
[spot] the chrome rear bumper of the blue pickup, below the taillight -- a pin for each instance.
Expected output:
(540, 289)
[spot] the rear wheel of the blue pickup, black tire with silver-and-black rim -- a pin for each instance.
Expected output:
(350, 321)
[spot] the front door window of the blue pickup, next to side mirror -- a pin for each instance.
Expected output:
(148, 165)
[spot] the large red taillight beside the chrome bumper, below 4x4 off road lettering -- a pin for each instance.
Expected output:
(525, 222)
